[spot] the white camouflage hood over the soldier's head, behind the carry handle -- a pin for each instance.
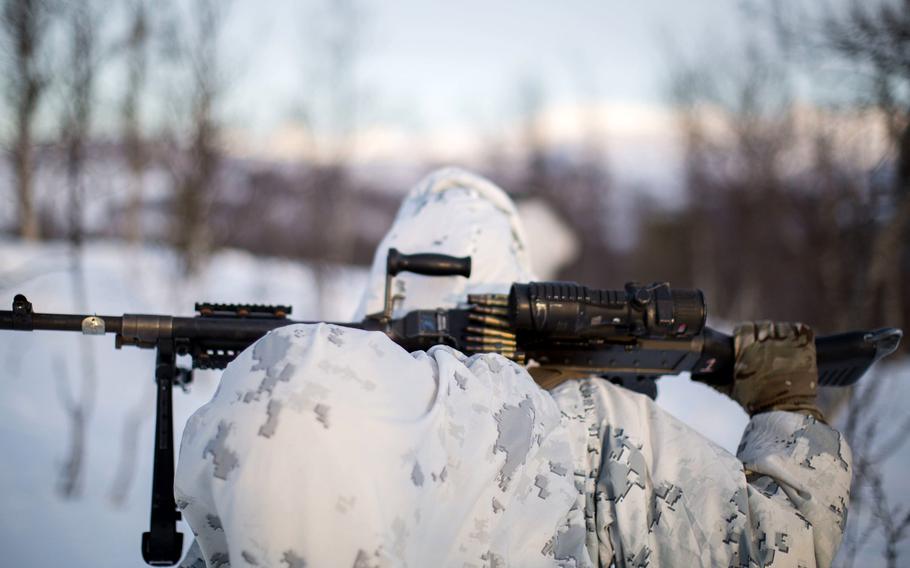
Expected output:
(453, 212)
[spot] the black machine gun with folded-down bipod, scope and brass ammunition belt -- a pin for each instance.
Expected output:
(561, 329)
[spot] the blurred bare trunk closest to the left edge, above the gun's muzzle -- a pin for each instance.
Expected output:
(25, 25)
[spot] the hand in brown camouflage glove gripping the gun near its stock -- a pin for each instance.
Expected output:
(775, 368)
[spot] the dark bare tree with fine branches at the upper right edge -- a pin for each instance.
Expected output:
(871, 40)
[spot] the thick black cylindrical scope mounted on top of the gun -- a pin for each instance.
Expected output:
(566, 310)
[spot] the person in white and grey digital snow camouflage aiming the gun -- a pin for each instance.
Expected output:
(327, 446)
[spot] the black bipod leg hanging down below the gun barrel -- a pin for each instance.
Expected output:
(163, 545)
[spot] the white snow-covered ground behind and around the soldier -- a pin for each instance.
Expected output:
(40, 371)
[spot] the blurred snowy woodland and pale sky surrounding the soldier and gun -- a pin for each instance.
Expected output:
(159, 153)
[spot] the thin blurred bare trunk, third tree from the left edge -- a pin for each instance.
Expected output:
(136, 45)
